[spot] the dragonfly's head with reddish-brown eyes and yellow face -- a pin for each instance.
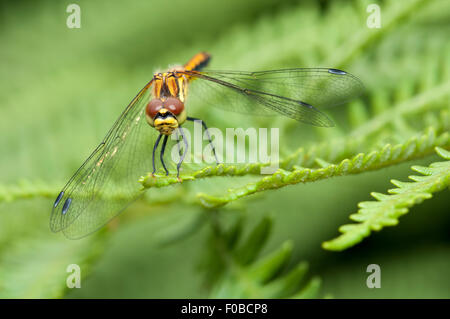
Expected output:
(165, 115)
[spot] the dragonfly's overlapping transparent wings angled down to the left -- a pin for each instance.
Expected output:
(108, 180)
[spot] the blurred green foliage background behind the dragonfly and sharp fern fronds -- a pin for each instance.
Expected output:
(61, 90)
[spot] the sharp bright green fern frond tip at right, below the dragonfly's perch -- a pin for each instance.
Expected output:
(373, 216)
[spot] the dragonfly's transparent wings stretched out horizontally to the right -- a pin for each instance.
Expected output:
(292, 92)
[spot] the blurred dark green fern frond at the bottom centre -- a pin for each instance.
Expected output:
(245, 276)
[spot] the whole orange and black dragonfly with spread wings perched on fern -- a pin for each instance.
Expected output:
(107, 182)
